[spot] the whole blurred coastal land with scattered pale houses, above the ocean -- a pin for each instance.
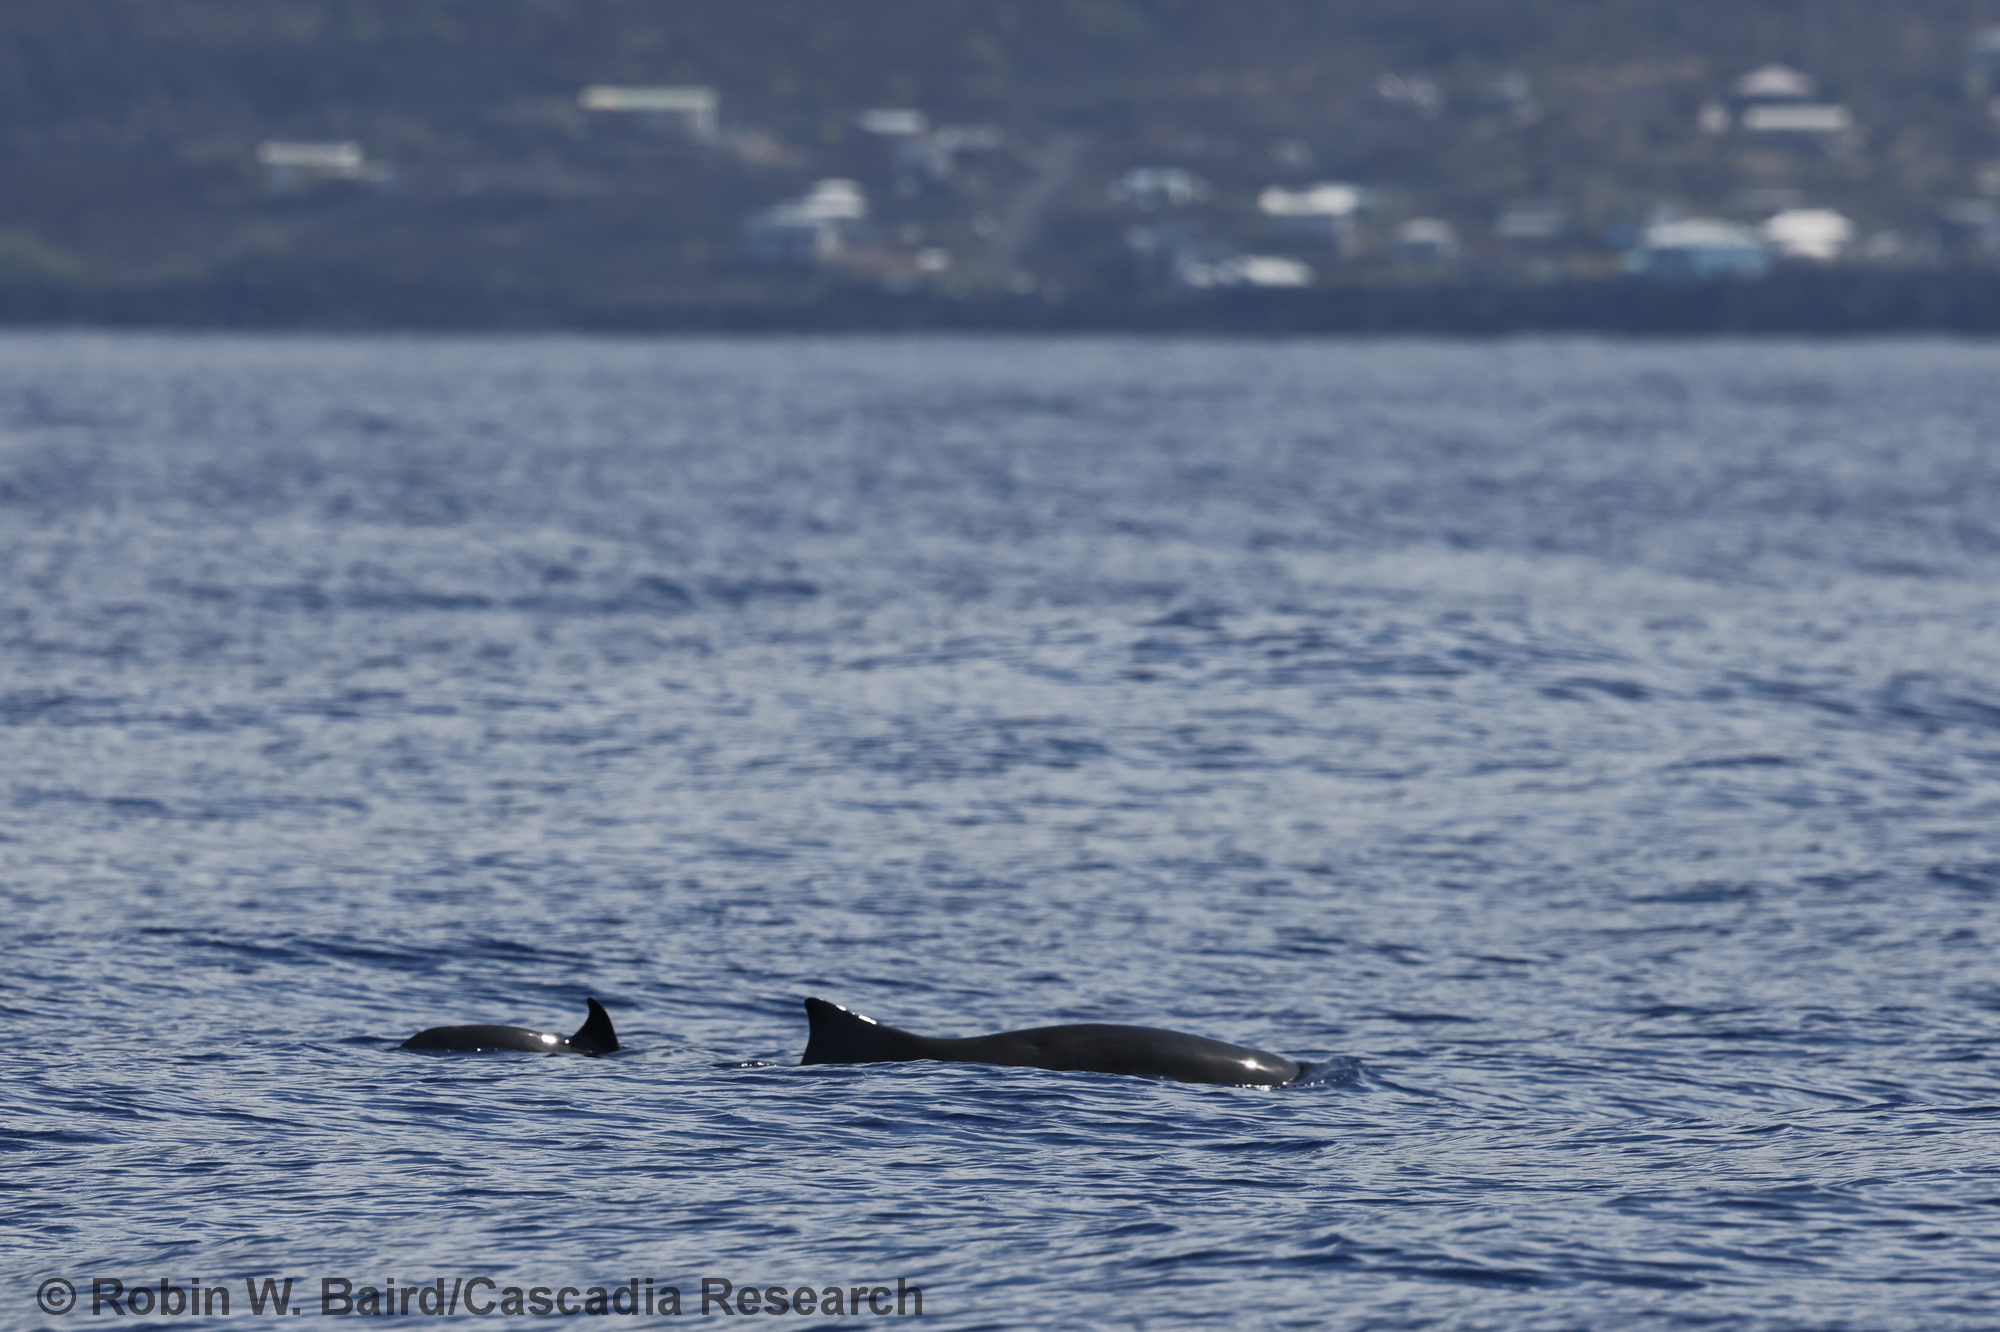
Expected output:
(1007, 163)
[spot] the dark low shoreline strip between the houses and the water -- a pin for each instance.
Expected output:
(1805, 303)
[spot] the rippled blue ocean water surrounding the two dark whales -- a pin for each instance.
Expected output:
(1587, 755)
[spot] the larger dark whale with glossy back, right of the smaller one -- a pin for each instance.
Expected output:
(841, 1037)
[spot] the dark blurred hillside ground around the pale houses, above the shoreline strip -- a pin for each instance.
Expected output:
(131, 129)
